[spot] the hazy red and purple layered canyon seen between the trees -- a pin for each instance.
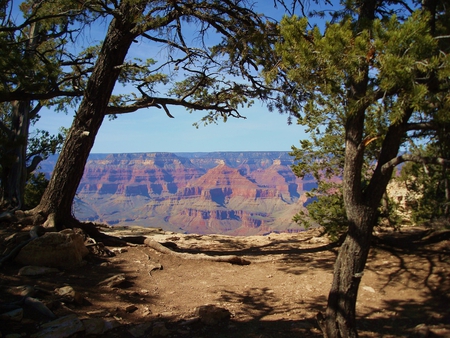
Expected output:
(232, 193)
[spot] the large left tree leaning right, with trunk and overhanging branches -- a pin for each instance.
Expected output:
(192, 71)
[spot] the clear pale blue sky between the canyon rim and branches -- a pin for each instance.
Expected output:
(150, 130)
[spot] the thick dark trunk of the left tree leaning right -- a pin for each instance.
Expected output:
(56, 203)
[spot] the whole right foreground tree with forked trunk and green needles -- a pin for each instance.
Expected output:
(373, 83)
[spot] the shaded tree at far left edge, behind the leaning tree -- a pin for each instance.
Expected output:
(37, 70)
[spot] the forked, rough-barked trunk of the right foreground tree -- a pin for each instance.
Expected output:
(362, 212)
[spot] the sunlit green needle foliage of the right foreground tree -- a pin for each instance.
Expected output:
(392, 60)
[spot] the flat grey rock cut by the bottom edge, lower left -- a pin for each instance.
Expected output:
(60, 328)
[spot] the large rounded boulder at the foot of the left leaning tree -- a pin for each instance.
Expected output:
(64, 249)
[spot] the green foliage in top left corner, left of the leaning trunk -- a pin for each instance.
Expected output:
(37, 46)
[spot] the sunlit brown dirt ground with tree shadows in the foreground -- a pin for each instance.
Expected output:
(404, 291)
